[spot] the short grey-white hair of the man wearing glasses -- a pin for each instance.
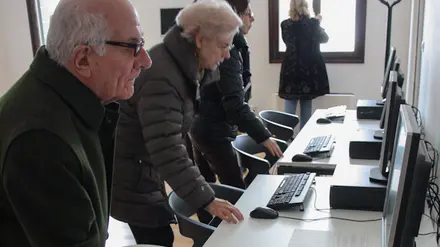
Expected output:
(73, 24)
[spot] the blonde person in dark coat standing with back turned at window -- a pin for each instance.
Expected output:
(303, 74)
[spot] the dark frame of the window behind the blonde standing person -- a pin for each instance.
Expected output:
(357, 56)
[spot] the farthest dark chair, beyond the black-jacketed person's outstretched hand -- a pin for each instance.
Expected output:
(280, 124)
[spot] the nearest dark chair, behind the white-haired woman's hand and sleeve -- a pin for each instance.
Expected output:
(190, 228)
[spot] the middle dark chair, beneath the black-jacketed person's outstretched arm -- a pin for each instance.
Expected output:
(246, 148)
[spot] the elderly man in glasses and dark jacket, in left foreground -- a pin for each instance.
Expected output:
(54, 178)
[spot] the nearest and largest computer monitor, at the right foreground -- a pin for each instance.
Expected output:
(408, 182)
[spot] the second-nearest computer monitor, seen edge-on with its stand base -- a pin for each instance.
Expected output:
(379, 174)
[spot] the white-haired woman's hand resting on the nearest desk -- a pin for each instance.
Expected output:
(225, 211)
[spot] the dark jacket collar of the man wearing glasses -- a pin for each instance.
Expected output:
(76, 95)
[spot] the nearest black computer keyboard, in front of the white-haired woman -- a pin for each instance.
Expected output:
(291, 191)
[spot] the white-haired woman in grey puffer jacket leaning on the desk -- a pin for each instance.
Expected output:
(150, 141)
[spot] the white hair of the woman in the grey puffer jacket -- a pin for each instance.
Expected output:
(213, 18)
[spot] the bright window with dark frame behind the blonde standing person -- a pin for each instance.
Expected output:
(343, 20)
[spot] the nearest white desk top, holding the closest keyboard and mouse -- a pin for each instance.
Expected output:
(277, 232)
